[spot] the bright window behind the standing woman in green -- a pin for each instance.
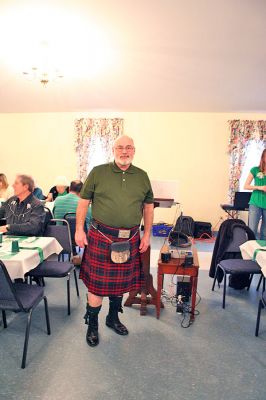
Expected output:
(253, 153)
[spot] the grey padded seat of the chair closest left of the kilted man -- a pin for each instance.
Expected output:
(52, 269)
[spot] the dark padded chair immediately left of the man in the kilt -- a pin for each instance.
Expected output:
(57, 269)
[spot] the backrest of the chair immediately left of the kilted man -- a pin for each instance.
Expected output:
(61, 233)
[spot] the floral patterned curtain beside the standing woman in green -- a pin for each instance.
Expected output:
(241, 132)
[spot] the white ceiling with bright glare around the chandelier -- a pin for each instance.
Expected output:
(168, 55)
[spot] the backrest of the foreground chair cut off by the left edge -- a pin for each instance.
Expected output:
(8, 298)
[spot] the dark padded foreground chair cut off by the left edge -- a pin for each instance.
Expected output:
(20, 297)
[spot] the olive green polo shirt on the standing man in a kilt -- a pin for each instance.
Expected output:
(117, 196)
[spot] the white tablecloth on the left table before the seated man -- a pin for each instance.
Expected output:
(18, 264)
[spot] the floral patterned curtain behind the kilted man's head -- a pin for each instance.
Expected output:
(86, 132)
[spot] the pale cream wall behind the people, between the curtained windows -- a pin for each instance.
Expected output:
(188, 147)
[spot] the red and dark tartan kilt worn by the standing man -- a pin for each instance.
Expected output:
(105, 278)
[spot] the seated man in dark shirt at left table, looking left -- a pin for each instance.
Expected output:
(24, 213)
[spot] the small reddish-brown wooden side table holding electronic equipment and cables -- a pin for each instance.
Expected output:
(175, 267)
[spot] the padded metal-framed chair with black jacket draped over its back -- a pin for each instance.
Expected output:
(236, 265)
